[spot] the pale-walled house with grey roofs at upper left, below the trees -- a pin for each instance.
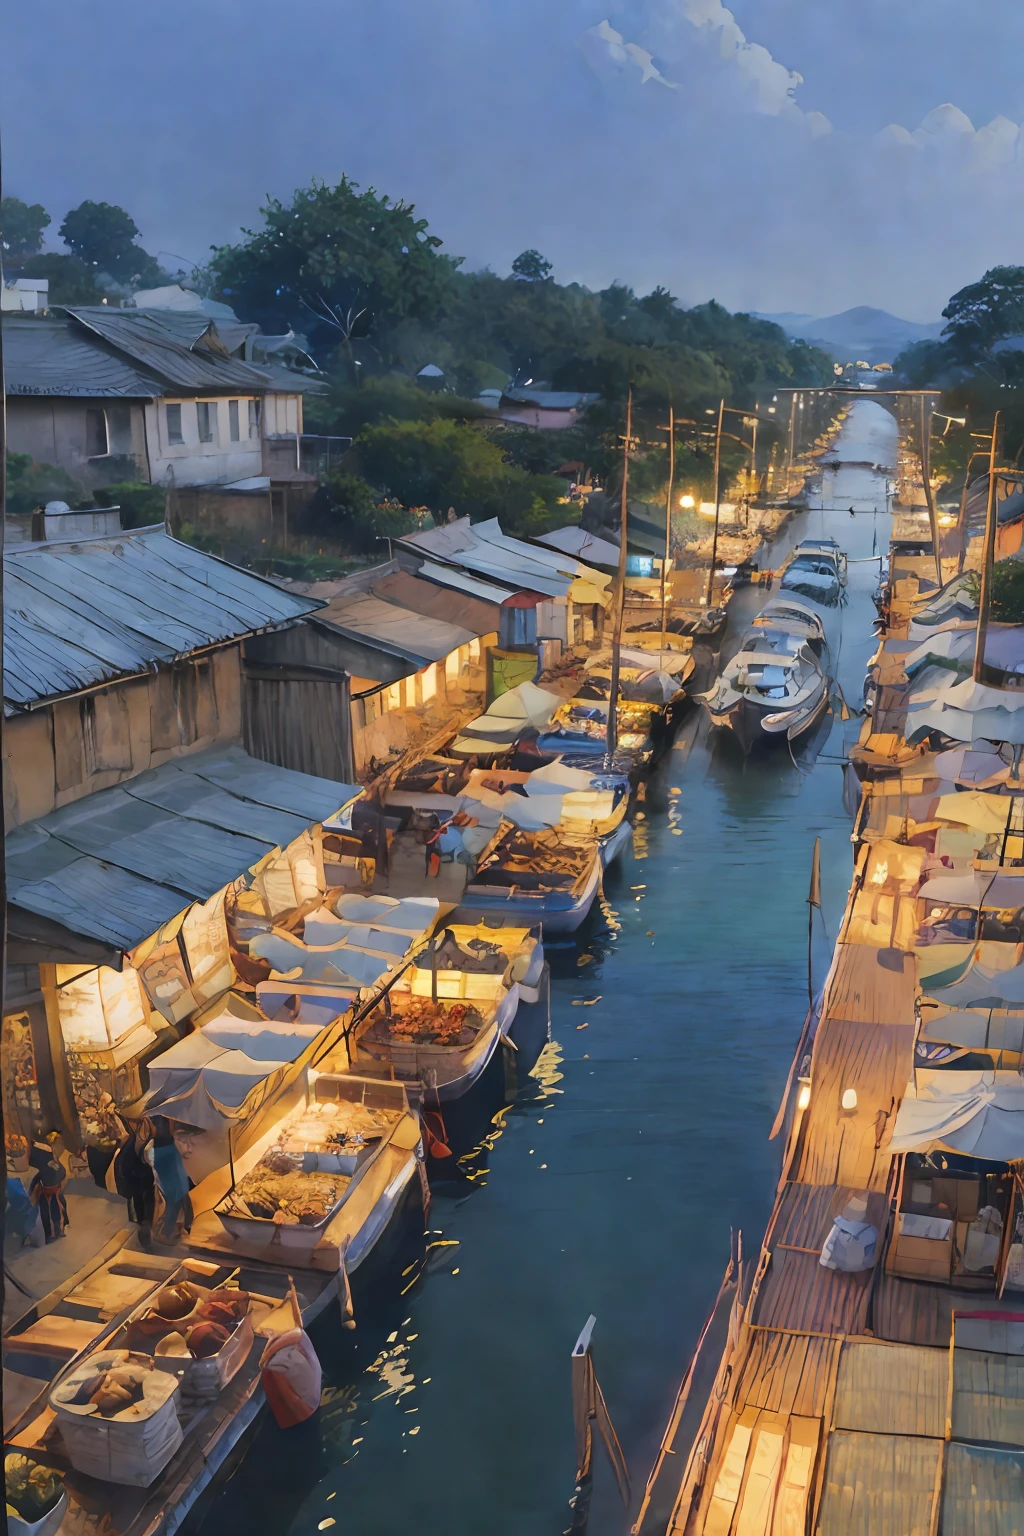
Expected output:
(154, 396)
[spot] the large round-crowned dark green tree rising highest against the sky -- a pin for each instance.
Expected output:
(340, 265)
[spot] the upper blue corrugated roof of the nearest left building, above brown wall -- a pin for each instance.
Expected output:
(82, 614)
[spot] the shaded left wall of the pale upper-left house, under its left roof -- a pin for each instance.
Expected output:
(55, 432)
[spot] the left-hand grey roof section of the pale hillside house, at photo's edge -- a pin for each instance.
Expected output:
(55, 357)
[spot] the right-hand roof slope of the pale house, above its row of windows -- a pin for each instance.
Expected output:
(179, 348)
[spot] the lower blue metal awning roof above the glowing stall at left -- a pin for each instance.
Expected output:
(119, 864)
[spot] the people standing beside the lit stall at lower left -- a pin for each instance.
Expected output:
(147, 1170)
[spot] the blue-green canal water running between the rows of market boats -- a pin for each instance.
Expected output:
(613, 1182)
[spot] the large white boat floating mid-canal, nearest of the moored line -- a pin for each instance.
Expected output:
(776, 687)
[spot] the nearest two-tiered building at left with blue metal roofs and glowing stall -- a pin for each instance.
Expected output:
(134, 799)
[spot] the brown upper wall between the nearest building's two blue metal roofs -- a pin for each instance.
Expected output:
(71, 749)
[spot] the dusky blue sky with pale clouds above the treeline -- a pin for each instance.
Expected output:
(781, 156)
